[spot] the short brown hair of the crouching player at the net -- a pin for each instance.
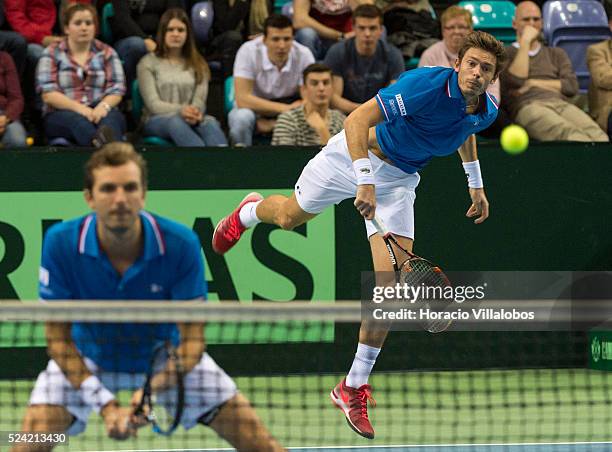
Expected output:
(114, 154)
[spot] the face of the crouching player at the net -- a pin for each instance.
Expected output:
(117, 196)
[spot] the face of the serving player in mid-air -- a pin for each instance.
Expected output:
(476, 71)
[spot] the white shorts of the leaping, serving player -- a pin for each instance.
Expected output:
(329, 178)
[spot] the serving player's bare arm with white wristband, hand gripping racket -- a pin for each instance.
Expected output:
(357, 129)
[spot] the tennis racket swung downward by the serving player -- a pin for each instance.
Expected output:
(413, 270)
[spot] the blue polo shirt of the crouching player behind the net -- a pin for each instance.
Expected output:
(74, 267)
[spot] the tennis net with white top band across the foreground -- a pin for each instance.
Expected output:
(452, 388)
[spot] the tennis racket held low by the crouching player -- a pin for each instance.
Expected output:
(164, 409)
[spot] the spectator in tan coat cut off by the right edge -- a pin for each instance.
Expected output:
(599, 59)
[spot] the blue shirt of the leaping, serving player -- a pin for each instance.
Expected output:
(425, 116)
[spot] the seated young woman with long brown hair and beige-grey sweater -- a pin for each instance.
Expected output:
(174, 86)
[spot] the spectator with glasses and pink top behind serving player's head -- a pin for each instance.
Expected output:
(456, 25)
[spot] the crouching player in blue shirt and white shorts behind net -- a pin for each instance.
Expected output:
(122, 252)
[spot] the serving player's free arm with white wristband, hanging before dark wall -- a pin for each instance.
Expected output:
(480, 205)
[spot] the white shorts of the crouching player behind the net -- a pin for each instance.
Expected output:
(207, 386)
